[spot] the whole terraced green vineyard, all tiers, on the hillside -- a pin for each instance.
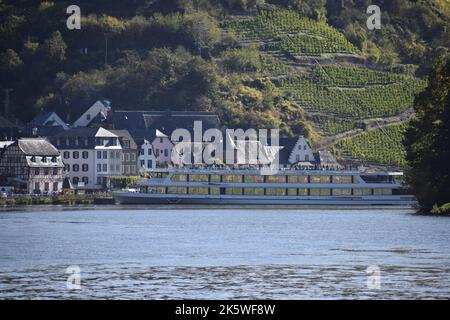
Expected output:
(337, 96)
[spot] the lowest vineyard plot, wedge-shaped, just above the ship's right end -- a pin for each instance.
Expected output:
(383, 145)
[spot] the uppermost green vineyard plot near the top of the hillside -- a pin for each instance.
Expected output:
(285, 31)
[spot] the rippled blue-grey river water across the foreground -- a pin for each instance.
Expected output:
(224, 254)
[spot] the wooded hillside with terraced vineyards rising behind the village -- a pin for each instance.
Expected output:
(308, 67)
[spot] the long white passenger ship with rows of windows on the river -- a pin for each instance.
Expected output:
(285, 187)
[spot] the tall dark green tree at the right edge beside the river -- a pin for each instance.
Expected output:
(427, 141)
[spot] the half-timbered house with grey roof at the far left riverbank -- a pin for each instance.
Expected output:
(32, 165)
